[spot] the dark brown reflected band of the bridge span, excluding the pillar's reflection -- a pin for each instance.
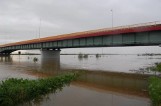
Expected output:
(135, 84)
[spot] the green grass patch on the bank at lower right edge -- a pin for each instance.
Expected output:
(155, 90)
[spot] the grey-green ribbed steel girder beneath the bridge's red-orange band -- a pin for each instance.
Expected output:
(148, 38)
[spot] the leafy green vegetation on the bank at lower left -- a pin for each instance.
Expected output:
(15, 91)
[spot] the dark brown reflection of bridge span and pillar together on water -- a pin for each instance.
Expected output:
(135, 84)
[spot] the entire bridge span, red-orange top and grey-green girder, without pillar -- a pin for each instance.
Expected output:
(146, 34)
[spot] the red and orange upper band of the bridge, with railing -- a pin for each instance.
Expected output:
(152, 26)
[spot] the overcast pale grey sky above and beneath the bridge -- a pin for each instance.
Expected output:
(21, 19)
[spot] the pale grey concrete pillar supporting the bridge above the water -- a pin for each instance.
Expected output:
(50, 54)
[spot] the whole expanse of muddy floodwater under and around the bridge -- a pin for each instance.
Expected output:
(109, 80)
